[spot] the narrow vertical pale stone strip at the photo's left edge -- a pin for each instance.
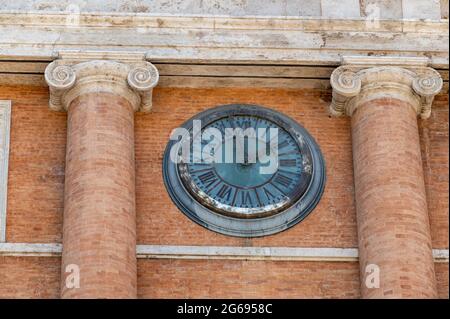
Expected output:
(5, 120)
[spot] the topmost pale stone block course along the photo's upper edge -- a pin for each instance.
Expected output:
(385, 9)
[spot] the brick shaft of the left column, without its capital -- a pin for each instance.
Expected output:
(99, 232)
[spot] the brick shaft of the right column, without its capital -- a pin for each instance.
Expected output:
(393, 226)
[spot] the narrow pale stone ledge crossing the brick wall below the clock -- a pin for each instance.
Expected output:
(213, 252)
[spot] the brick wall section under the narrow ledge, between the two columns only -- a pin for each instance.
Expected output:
(246, 279)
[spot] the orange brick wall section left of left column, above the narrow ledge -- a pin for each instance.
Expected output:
(36, 167)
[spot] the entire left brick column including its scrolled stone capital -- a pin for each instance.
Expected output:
(99, 230)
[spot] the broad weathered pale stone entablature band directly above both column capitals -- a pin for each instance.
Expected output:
(162, 38)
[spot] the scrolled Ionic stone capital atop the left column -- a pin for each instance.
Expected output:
(76, 73)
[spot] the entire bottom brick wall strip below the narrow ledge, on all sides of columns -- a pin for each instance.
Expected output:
(38, 277)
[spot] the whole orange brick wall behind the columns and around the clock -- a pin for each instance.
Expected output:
(35, 196)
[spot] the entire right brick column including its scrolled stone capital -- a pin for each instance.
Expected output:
(392, 216)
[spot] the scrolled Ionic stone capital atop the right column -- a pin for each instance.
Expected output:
(361, 79)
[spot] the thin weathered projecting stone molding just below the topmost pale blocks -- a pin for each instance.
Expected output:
(181, 20)
